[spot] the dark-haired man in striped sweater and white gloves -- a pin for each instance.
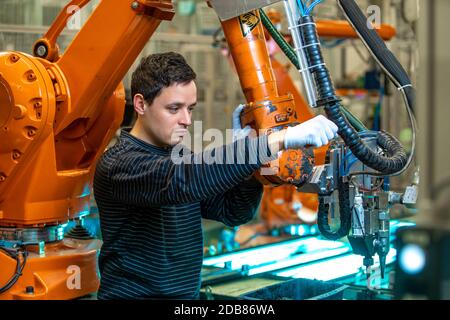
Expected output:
(151, 207)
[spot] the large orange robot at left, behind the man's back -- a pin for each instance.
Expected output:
(56, 117)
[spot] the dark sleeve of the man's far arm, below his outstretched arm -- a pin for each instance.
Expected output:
(237, 206)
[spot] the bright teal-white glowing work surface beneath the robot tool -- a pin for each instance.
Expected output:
(292, 256)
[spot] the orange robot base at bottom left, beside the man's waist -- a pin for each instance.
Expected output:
(63, 270)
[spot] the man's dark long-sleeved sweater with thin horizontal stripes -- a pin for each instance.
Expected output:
(150, 211)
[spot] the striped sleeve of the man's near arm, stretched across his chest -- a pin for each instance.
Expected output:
(147, 180)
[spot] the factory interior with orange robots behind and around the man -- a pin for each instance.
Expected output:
(365, 217)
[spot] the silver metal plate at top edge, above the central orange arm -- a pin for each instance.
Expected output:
(227, 9)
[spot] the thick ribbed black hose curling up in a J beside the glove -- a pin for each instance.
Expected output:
(396, 158)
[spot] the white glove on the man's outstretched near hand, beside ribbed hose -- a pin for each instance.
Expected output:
(317, 132)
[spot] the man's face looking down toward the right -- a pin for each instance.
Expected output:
(167, 119)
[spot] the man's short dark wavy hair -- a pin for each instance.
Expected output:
(158, 71)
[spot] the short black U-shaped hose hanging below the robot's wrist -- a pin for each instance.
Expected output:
(344, 214)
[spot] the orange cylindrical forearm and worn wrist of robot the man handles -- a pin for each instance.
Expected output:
(266, 110)
